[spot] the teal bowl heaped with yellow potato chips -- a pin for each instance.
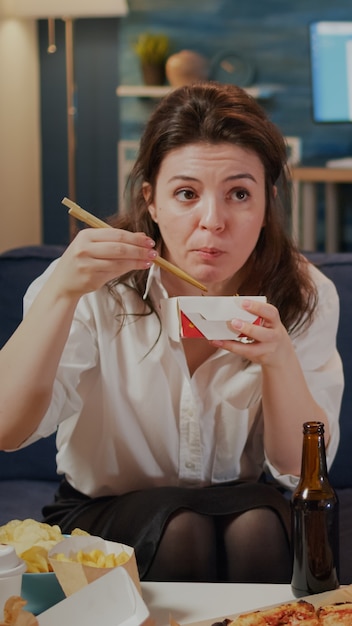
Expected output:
(32, 541)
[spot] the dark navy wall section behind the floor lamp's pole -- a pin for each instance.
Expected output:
(96, 122)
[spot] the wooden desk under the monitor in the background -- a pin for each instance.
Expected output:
(308, 177)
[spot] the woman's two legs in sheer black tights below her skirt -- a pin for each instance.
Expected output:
(250, 547)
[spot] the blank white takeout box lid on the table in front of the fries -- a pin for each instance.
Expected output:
(111, 600)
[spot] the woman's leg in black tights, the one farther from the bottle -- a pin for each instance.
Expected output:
(187, 550)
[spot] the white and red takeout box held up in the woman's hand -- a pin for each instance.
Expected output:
(206, 317)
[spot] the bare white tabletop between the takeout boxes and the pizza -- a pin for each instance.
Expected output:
(190, 602)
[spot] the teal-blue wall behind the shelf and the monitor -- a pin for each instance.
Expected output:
(271, 34)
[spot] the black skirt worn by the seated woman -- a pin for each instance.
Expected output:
(138, 518)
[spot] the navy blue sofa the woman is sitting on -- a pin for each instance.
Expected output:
(28, 477)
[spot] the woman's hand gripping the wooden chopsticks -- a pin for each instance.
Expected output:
(96, 256)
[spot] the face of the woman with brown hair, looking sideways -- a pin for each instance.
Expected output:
(209, 204)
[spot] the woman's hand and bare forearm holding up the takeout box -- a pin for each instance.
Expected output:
(286, 399)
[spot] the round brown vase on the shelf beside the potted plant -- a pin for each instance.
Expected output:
(186, 67)
